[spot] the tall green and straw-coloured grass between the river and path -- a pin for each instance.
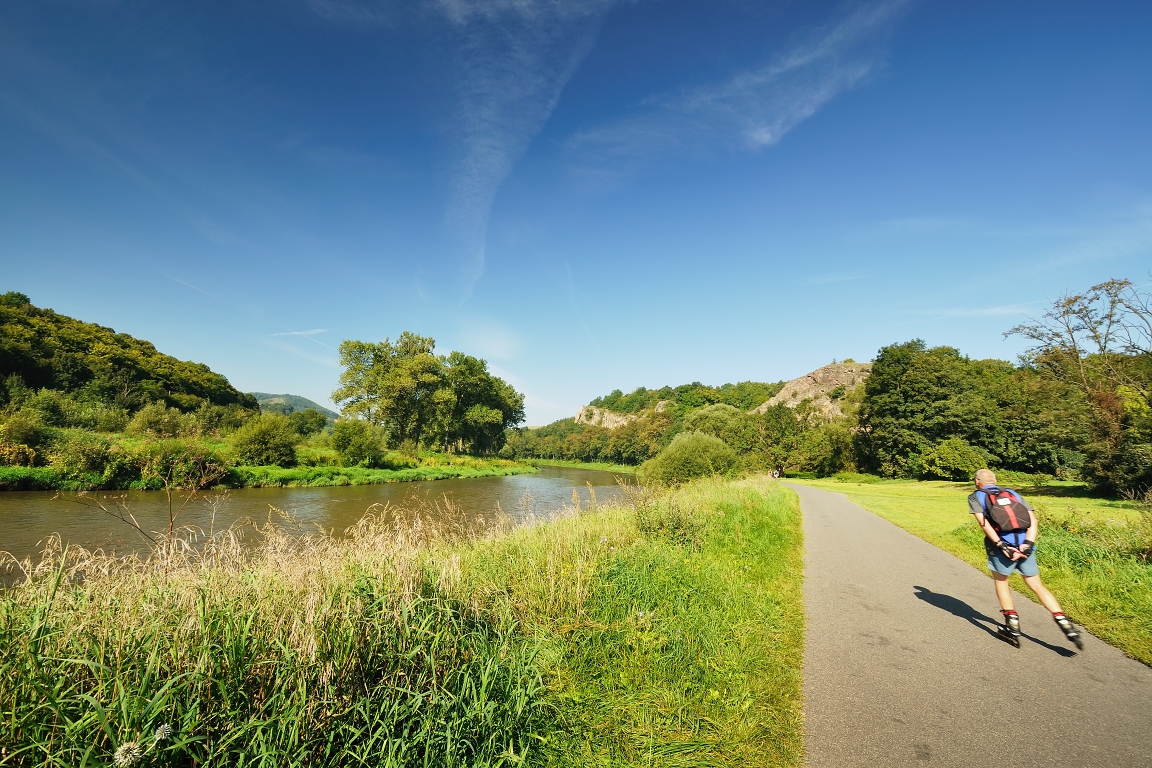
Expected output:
(665, 633)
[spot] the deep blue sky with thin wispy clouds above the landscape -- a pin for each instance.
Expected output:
(592, 195)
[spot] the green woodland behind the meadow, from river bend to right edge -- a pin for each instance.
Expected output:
(1078, 405)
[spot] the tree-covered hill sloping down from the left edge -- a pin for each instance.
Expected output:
(54, 352)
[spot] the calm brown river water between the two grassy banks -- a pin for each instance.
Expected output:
(28, 519)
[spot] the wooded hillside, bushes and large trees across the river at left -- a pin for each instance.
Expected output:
(84, 407)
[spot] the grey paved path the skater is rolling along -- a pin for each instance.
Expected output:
(903, 666)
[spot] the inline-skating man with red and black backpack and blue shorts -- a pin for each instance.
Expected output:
(1010, 529)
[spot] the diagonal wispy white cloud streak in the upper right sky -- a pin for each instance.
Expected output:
(757, 108)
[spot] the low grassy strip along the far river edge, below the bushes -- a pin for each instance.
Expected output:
(48, 478)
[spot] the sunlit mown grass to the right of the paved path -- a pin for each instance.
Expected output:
(1094, 553)
